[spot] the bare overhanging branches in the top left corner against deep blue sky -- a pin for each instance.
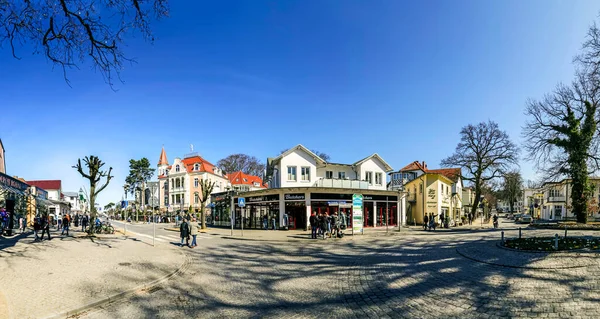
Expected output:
(73, 31)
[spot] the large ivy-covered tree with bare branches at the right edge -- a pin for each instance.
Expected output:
(562, 131)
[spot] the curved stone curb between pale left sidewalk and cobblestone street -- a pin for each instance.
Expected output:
(117, 297)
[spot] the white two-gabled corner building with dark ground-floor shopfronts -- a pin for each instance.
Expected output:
(300, 182)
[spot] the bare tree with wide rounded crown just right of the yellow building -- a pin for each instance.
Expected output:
(485, 153)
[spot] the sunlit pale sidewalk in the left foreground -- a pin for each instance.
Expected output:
(45, 279)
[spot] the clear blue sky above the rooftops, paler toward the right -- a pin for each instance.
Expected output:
(348, 78)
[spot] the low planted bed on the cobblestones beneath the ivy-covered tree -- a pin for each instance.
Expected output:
(547, 243)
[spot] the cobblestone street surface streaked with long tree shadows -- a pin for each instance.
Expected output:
(410, 276)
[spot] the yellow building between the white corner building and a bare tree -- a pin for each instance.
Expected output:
(431, 194)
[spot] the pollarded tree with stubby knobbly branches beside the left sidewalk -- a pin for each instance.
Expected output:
(94, 175)
